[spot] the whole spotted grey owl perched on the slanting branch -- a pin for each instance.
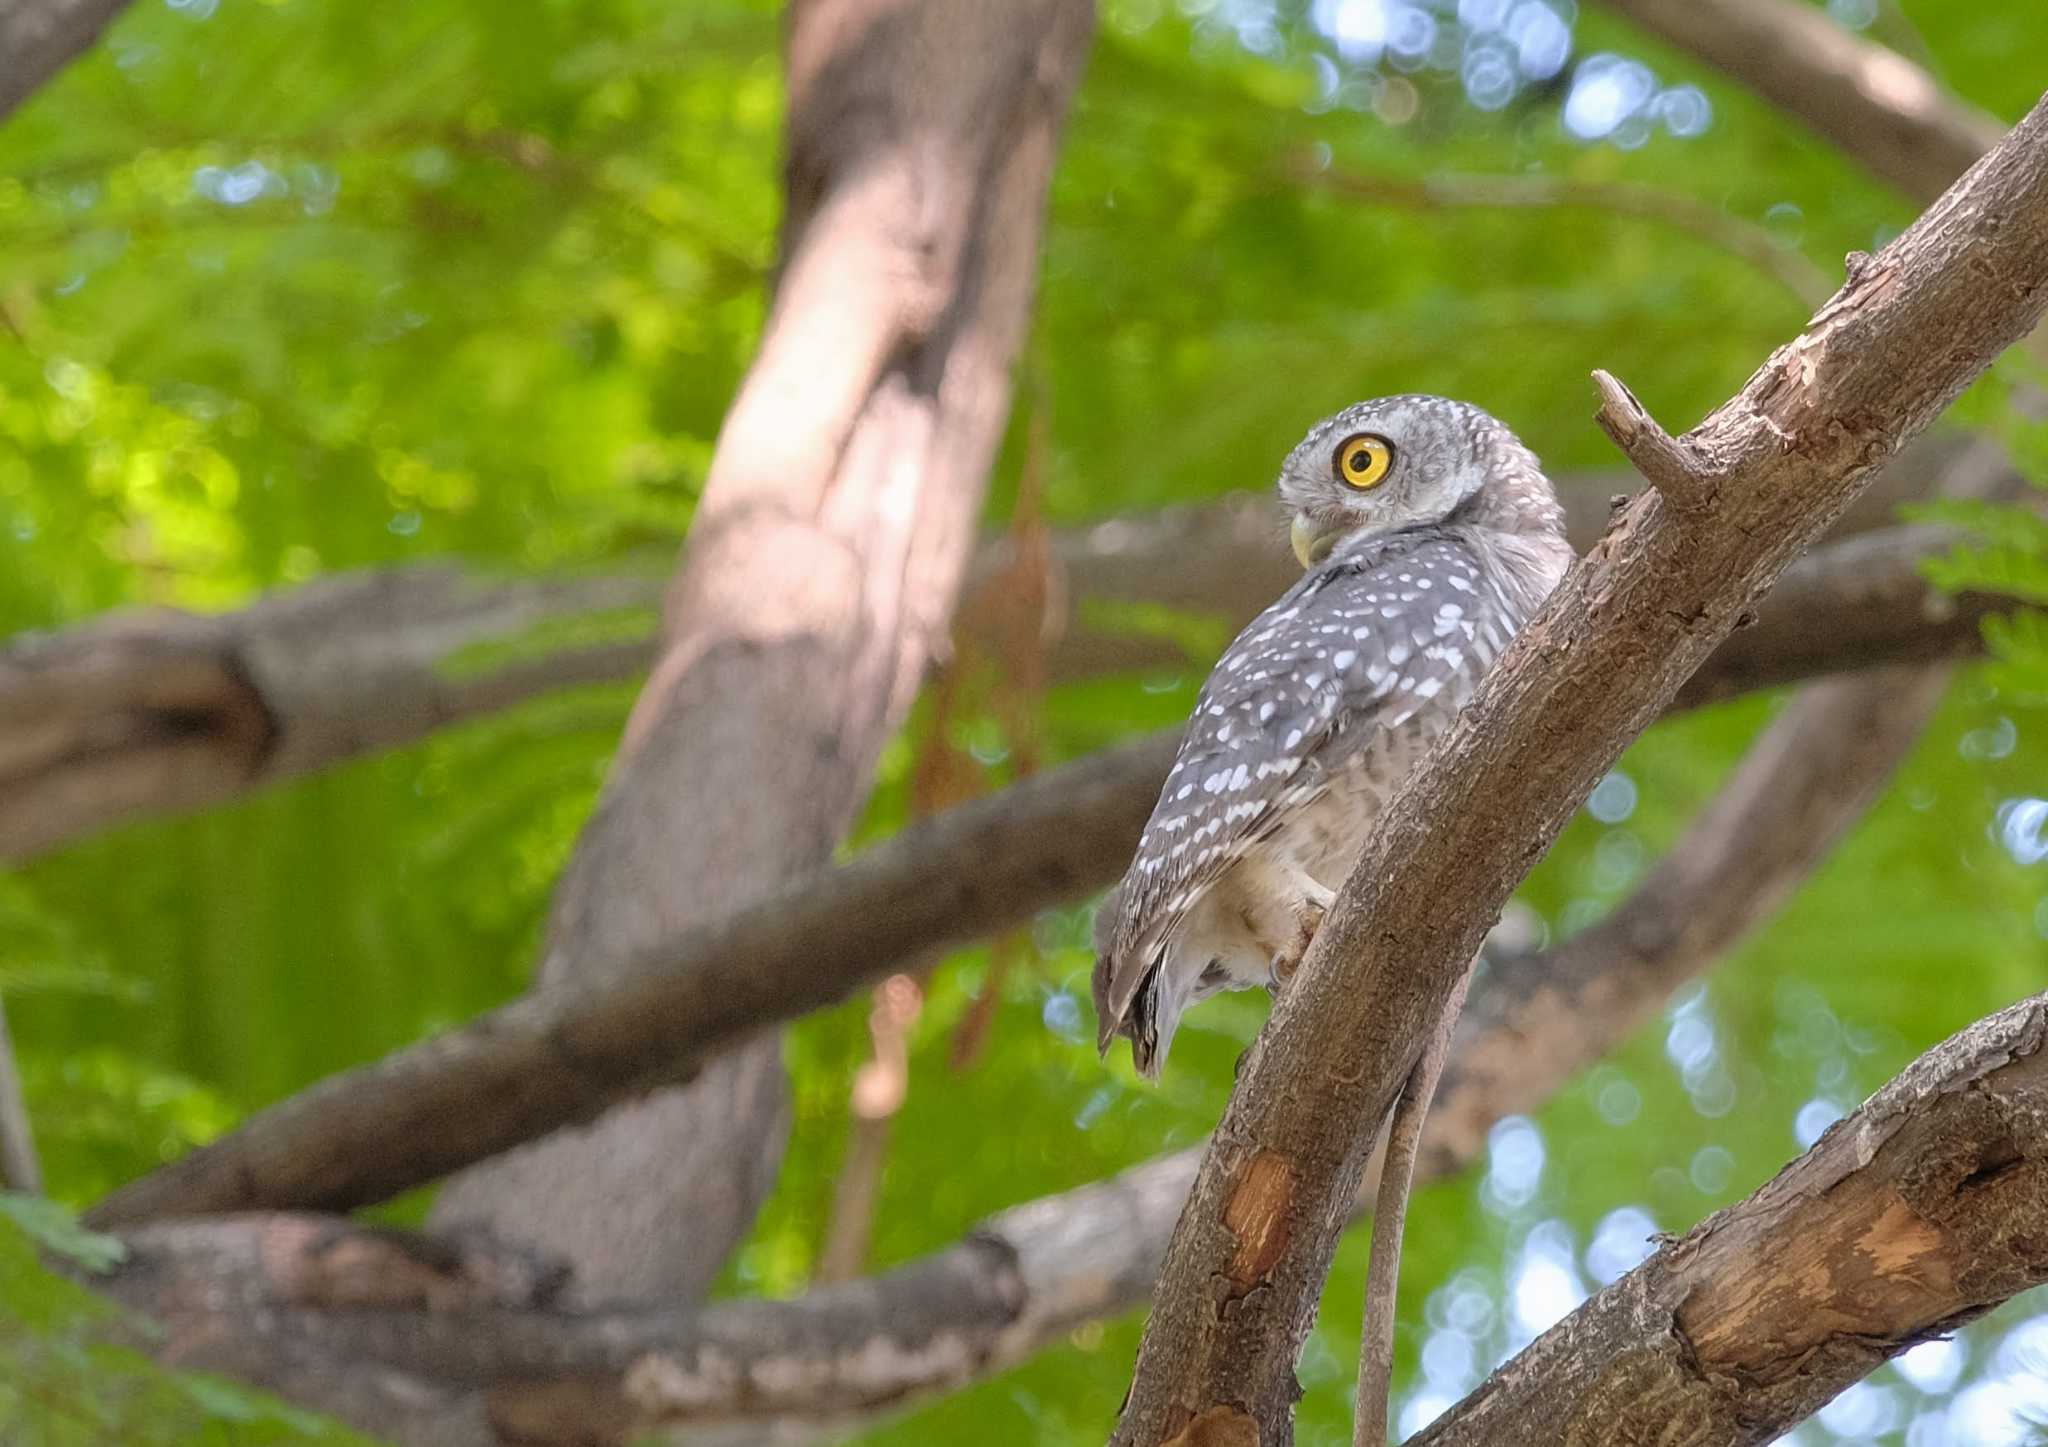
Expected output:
(1416, 580)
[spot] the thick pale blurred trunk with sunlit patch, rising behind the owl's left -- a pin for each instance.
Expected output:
(816, 580)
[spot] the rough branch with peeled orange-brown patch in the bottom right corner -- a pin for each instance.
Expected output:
(1916, 1215)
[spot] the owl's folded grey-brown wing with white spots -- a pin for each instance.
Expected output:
(1355, 648)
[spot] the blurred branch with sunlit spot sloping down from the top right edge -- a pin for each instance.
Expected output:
(1873, 103)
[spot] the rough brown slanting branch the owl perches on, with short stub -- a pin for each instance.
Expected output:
(1732, 507)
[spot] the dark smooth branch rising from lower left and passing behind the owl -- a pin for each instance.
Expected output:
(970, 873)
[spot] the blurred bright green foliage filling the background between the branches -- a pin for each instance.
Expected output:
(290, 294)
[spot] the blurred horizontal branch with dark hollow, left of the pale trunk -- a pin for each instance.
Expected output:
(163, 711)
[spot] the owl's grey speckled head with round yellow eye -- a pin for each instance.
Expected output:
(1408, 462)
